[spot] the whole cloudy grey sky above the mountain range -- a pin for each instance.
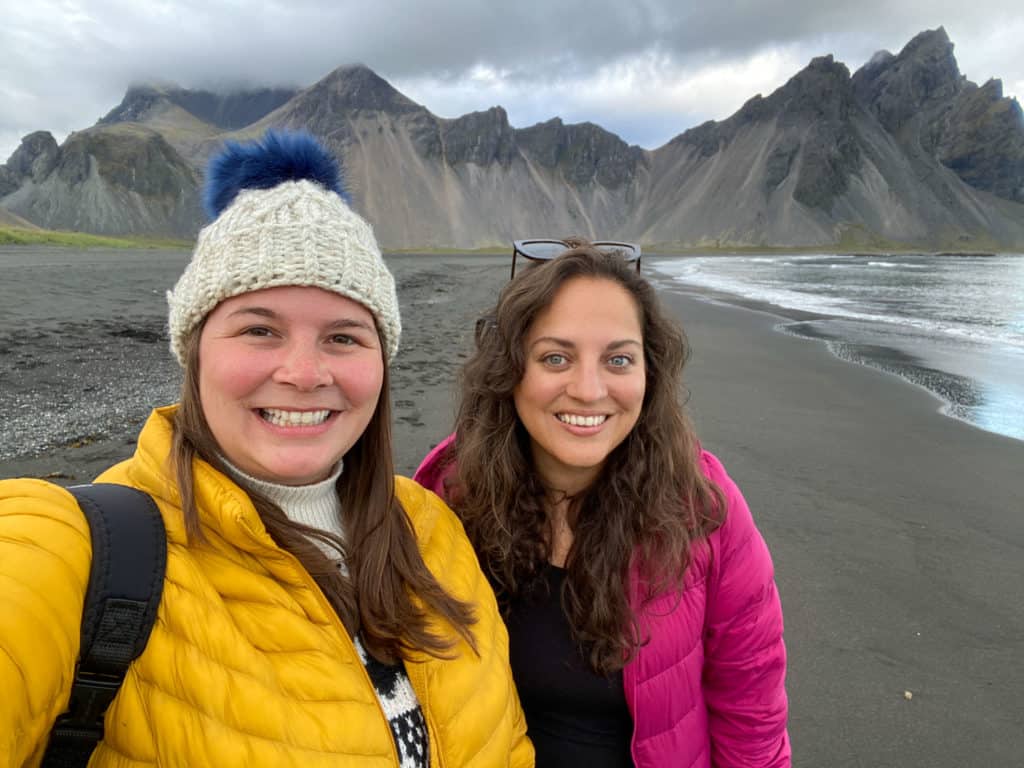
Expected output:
(647, 70)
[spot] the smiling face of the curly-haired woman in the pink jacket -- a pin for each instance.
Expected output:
(583, 388)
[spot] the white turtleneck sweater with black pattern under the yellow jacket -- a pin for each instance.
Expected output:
(318, 505)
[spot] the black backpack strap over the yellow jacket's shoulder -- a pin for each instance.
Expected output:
(126, 579)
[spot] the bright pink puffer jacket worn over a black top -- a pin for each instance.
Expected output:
(709, 689)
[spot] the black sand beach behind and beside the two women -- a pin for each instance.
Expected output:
(898, 533)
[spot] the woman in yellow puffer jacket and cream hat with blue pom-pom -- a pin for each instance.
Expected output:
(316, 611)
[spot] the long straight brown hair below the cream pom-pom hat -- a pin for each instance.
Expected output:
(389, 590)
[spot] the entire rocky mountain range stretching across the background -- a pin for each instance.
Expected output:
(905, 153)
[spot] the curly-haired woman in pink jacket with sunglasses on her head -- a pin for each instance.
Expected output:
(645, 622)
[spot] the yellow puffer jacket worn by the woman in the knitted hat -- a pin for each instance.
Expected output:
(247, 664)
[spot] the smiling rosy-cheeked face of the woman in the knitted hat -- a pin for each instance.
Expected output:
(289, 378)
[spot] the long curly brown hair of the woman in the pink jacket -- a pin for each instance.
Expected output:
(648, 507)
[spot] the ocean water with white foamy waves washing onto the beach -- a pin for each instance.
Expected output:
(952, 324)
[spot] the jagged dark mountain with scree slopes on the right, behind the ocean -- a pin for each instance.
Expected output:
(830, 158)
